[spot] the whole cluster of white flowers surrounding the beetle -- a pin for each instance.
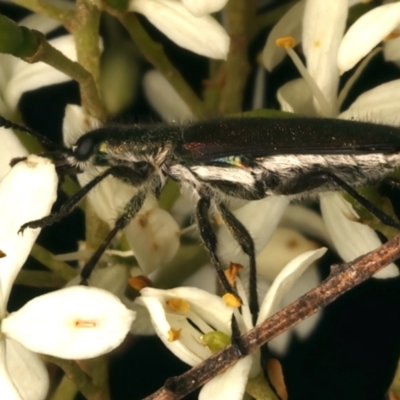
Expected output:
(192, 320)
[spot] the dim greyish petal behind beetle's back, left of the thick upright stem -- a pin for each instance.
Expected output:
(164, 99)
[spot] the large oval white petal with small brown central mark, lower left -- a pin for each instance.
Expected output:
(73, 323)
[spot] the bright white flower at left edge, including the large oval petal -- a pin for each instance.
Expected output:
(77, 322)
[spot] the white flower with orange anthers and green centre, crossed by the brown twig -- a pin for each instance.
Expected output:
(182, 316)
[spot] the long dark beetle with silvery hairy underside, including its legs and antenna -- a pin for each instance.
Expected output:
(246, 158)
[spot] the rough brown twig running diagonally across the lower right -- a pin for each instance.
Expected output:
(343, 277)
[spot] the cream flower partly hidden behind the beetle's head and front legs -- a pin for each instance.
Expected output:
(153, 234)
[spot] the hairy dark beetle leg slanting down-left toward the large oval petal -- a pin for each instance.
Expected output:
(130, 211)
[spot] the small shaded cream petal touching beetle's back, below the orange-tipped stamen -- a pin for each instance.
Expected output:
(296, 97)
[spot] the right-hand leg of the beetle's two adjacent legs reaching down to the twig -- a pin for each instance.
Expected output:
(246, 242)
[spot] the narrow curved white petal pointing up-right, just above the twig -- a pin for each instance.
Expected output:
(285, 280)
